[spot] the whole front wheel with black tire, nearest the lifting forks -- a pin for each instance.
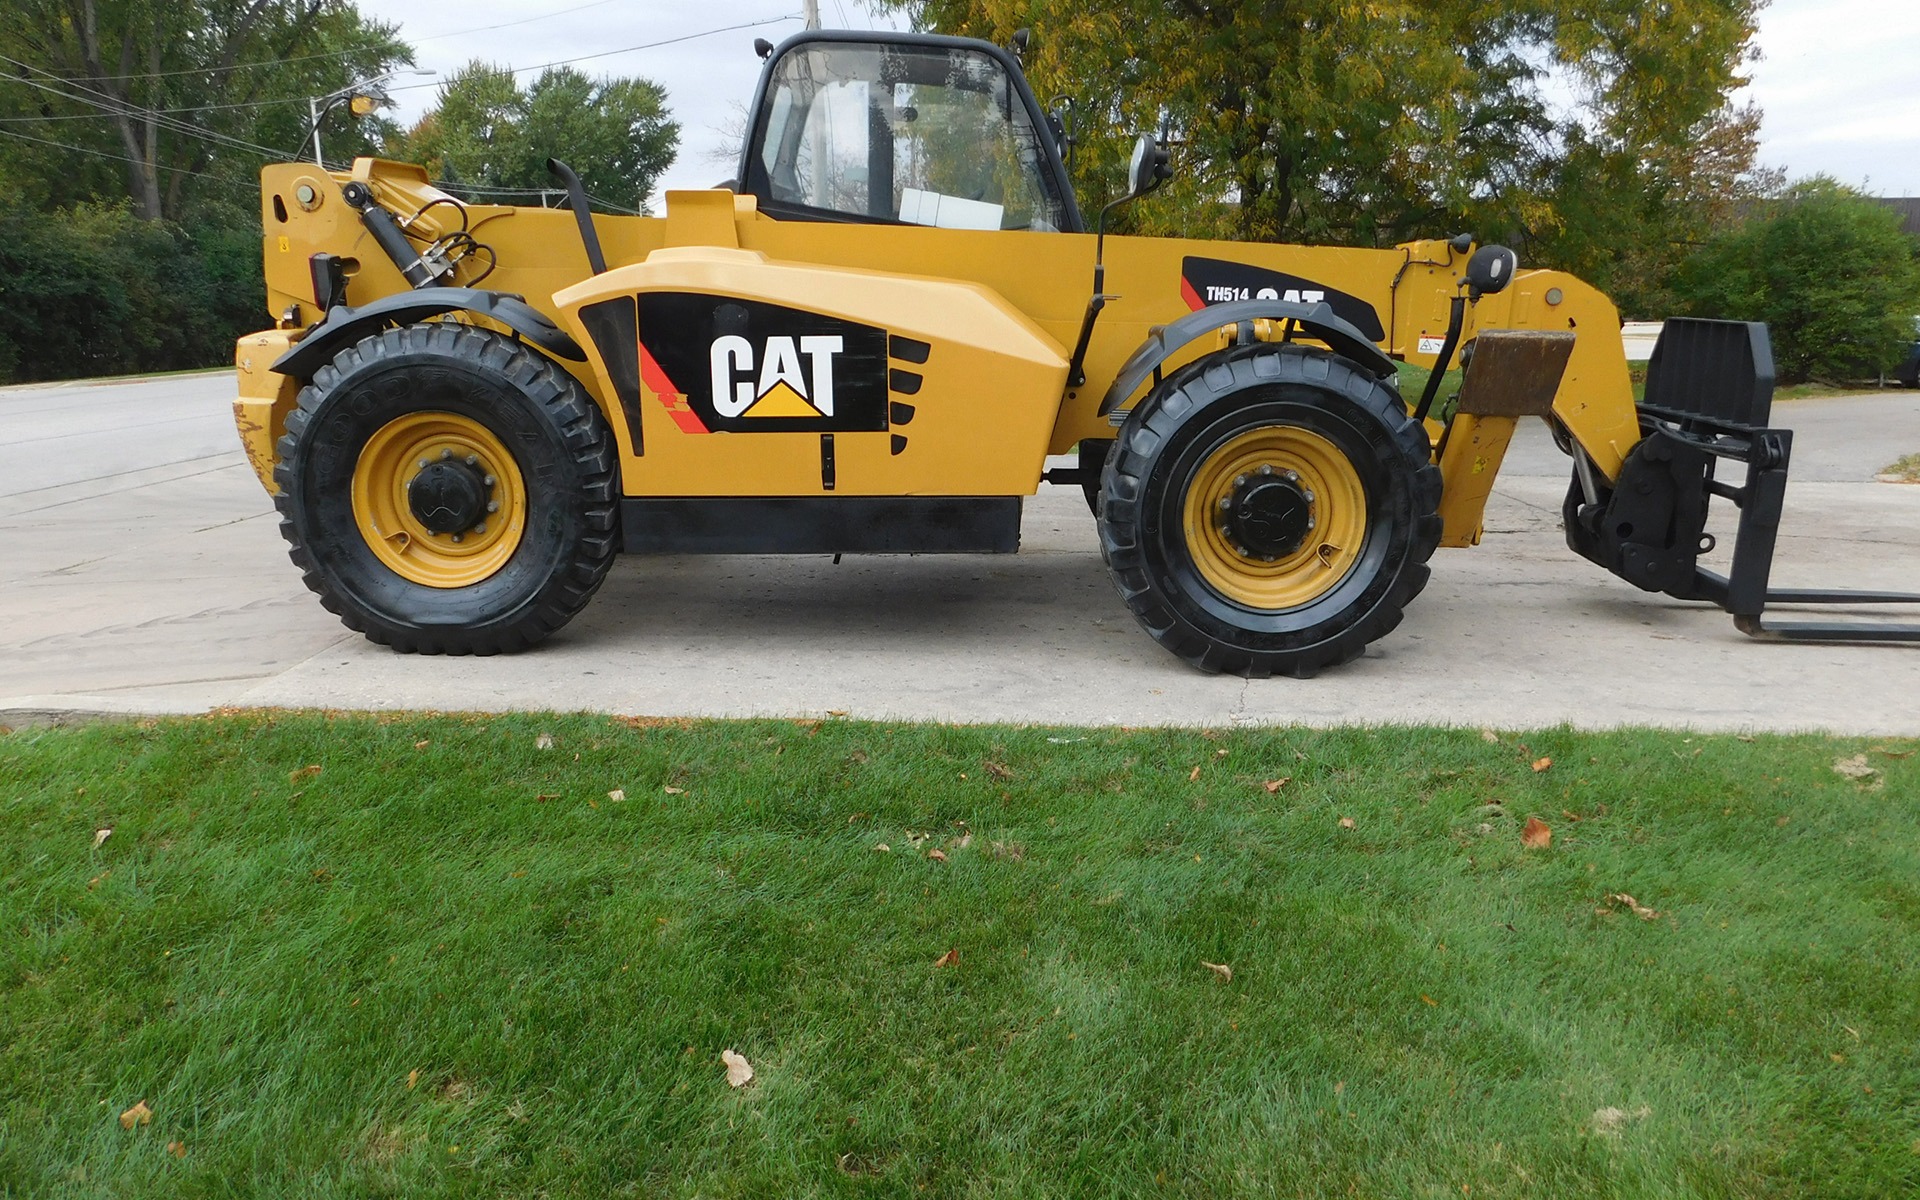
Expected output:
(1270, 510)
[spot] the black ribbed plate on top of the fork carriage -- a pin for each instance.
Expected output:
(1717, 370)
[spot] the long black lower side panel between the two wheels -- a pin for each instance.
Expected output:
(807, 525)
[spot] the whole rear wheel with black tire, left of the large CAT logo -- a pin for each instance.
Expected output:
(529, 527)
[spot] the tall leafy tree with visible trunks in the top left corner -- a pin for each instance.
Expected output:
(162, 97)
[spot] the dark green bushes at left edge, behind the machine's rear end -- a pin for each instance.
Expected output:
(93, 291)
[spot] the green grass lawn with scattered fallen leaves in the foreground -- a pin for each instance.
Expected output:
(448, 963)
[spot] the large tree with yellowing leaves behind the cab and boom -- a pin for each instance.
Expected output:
(1328, 120)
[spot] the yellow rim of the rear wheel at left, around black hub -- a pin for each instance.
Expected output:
(387, 466)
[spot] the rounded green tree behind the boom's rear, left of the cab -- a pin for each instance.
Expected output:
(489, 135)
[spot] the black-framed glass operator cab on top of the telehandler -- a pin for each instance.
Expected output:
(903, 130)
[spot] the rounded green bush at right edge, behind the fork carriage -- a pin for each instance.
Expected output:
(1827, 270)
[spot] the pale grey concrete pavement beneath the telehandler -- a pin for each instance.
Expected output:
(141, 571)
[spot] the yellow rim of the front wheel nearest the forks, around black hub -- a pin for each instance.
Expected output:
(1332, 546)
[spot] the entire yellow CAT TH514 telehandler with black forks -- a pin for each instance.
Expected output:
(878, 333)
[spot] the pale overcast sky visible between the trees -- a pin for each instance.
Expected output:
(1840, 80)
